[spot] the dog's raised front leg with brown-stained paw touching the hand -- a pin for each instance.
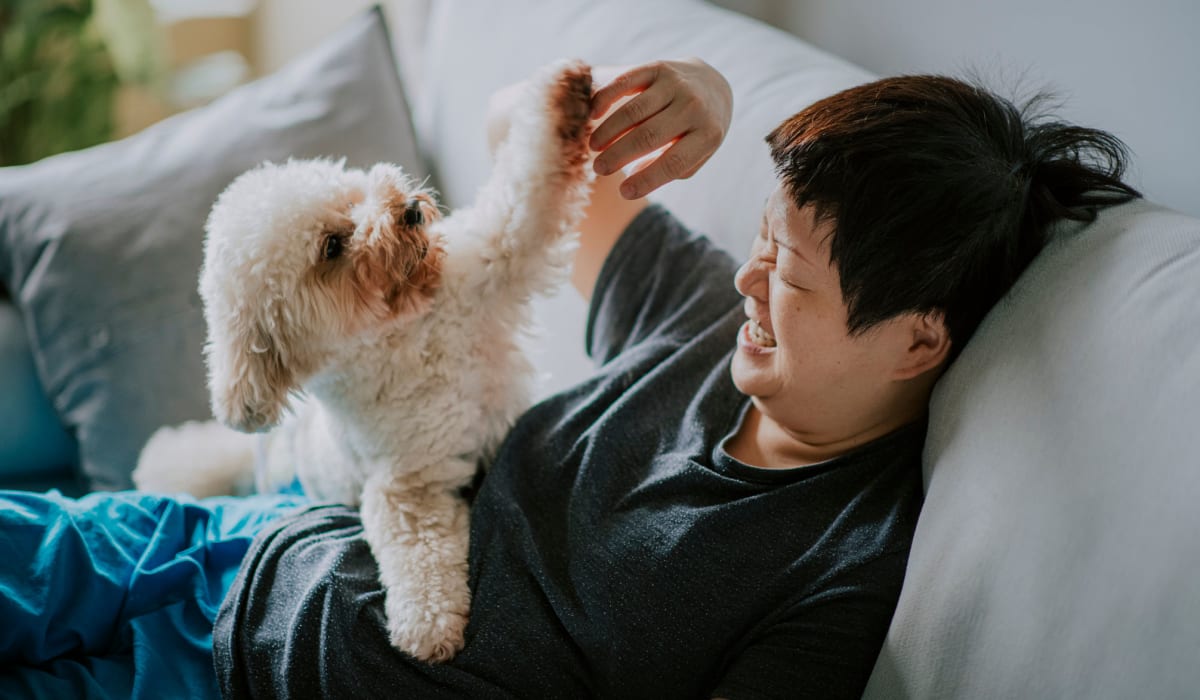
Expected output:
(538, 190)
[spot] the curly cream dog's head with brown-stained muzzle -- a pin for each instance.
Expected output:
(299, 260)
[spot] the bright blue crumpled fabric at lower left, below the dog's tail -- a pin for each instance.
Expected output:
(115, 595)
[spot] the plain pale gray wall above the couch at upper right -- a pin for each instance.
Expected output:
(1129, 67)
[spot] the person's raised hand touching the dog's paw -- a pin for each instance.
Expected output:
(683, 106)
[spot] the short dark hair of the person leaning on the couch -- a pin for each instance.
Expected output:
(940, 193)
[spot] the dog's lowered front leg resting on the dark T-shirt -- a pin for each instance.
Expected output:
(418, 534)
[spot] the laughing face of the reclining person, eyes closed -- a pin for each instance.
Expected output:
(817, 385)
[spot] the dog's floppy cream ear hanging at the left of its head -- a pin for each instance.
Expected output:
(249, 379)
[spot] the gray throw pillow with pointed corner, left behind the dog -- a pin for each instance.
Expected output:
(101, 249)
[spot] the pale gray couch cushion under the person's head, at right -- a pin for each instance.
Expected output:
(1058, 554)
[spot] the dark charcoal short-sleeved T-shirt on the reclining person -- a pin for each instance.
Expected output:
(616, 551)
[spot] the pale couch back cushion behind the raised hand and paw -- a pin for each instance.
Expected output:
(773, 75)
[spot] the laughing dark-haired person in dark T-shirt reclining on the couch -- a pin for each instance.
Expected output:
(727, 507)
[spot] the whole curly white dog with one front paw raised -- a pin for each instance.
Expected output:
(400, 327)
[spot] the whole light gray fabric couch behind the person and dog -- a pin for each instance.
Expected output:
(1057, 555)
